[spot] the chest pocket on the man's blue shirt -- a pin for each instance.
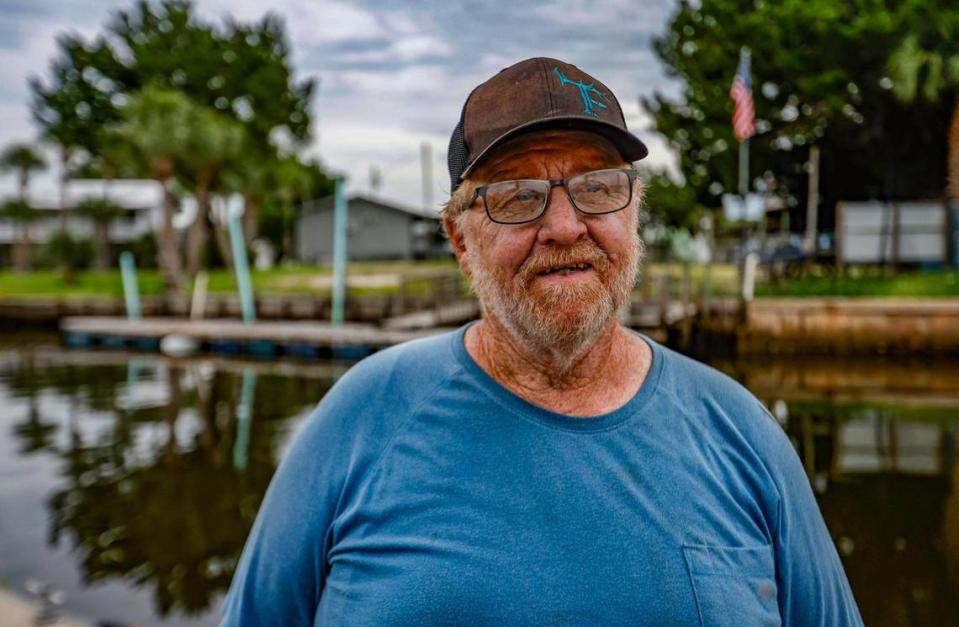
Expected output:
(734, 586)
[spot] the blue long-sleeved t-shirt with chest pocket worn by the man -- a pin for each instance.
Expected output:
(422, 492)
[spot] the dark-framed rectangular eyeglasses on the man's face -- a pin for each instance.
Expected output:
(525, 200)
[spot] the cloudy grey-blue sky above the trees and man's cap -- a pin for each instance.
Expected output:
(392, 74)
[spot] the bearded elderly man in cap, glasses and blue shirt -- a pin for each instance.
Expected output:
(545, 465)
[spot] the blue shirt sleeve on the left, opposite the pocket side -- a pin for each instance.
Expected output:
(280, 578)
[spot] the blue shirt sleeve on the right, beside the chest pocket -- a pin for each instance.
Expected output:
(813, 589)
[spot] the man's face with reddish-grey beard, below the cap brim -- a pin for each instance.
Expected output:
(516, 270)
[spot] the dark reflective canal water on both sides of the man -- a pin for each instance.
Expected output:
(128, 483)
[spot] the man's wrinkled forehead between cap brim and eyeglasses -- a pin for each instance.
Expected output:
(539, 149)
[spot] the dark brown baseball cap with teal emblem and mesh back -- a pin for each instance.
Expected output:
(536, 94)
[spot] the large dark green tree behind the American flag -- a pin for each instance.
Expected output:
(819, 78)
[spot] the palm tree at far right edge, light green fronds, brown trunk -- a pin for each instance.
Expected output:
(930, 69)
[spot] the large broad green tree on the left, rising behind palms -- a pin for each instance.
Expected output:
(241, 71)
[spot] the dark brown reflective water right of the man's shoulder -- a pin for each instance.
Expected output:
(880, 444)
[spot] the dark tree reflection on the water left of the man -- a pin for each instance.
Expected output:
(156, 489)
